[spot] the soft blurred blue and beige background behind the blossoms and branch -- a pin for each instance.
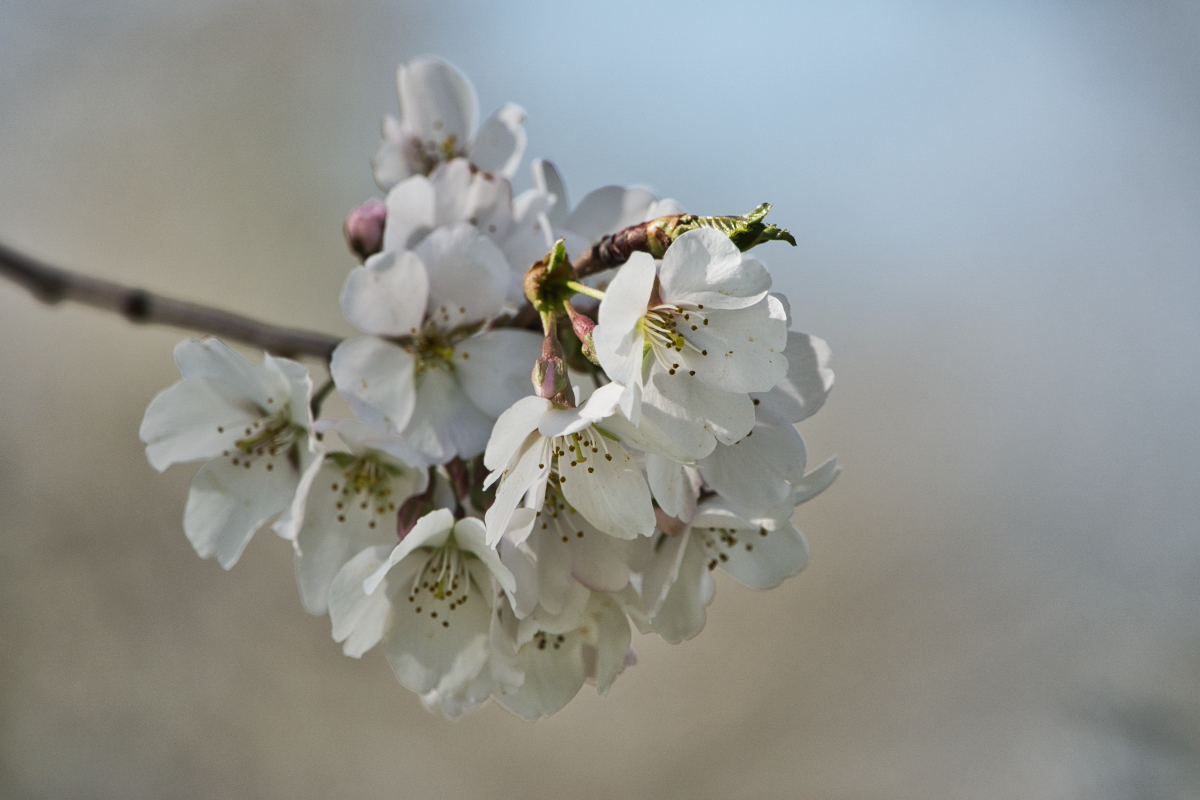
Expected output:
(998, 208)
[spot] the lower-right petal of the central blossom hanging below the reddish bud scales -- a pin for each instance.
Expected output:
(615, 497)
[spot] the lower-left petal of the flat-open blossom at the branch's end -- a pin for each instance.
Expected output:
(376, 378)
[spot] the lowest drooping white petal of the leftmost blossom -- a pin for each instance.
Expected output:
(229, 503)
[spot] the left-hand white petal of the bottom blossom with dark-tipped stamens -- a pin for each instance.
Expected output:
(359, 619)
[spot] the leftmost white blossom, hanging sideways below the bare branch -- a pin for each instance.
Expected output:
(251, 424)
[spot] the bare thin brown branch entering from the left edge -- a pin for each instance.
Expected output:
(52, 285)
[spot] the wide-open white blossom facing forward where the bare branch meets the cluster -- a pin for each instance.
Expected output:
(424, 372)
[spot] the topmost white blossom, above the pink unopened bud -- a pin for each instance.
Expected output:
(439, 113)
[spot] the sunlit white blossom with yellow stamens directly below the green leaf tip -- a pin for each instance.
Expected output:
(693, 340)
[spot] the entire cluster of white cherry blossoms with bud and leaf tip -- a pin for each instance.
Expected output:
(566, 419)
